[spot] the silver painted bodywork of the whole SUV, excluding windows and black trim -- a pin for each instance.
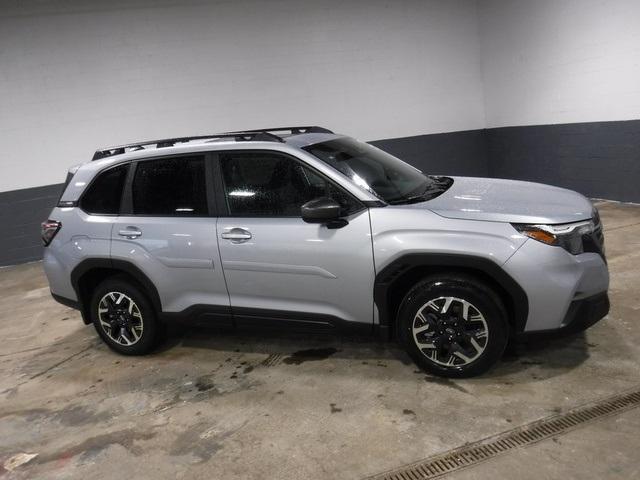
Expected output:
(286, 264)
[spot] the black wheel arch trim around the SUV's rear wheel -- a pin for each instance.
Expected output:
(90, 272)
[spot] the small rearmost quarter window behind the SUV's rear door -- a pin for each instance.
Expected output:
(105, 192)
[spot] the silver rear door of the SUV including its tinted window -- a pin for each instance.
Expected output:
(167, 229)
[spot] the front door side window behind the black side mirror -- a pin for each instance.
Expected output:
(269, 184)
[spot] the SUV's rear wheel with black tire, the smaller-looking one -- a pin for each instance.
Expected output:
(147, 336)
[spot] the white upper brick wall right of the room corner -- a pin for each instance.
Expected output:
(560, 61)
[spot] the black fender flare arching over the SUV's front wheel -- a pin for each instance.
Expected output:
(392, 272)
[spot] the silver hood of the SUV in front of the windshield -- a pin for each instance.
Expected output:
(511, 201)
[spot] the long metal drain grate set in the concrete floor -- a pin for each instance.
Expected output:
(477, 452)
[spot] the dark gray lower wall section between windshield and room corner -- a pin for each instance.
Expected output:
(455, 153)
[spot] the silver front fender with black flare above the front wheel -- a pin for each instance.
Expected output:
(433, 241)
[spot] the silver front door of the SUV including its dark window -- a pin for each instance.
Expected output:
(276, 265)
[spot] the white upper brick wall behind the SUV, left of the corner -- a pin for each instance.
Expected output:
(78, 75)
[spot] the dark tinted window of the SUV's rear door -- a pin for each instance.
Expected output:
(170, 187)
